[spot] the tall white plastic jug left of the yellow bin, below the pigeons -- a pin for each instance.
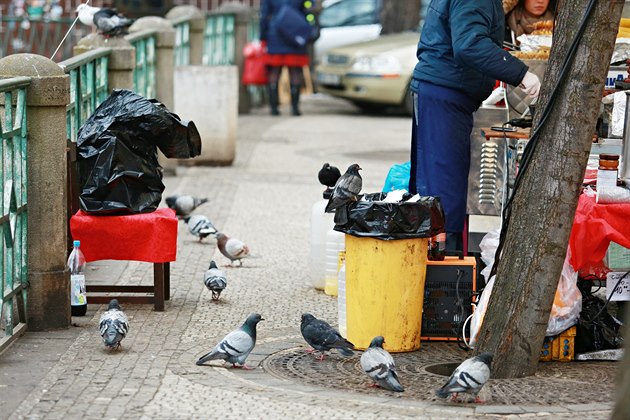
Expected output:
(321, 223)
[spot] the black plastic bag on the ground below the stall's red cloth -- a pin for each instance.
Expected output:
(596, 328)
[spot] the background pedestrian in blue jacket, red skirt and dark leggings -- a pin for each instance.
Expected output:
(281, 51)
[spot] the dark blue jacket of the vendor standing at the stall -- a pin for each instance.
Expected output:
(460, 48)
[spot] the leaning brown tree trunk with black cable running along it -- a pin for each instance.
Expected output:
(544, 206)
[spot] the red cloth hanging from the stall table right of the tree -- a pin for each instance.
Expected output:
(594, 226)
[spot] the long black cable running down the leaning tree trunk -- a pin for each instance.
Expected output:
(531, 144)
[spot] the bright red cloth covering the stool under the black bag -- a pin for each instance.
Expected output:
(150, 237)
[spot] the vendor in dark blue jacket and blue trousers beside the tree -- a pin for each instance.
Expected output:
(459, 59)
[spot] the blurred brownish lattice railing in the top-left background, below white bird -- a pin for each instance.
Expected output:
(39, 36)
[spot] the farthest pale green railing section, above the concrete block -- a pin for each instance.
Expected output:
(219, 40)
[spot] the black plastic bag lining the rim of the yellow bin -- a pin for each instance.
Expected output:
(372, 218)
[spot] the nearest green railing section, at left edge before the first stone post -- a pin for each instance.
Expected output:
(13, 219)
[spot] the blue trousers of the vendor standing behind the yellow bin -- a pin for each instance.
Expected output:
(440, 149)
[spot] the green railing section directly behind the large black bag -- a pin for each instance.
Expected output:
(88, 86)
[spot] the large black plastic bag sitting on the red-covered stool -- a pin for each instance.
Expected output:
(117, 156)
